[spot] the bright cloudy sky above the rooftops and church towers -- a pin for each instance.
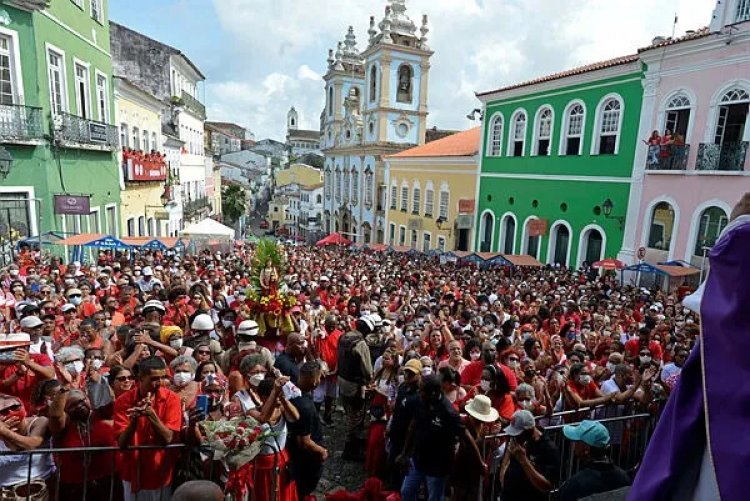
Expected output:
(262, 56)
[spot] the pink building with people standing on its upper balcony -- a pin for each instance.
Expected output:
(698, 87)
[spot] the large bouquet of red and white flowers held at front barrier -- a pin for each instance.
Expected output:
(236, 441)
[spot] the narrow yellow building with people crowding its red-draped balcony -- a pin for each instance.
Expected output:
(142, 174)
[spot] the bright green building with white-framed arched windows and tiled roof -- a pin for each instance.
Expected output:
(555, 149)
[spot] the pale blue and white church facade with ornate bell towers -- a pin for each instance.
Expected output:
(376, 105)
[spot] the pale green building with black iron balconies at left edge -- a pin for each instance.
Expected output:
(56, 107)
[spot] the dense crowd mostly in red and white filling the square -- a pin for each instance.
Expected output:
(423, 358)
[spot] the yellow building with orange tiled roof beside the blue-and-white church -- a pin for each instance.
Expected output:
(431, 192)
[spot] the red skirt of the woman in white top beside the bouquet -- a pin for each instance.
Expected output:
(257, 479)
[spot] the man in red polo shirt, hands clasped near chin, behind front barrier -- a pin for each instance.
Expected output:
(149, 414)
